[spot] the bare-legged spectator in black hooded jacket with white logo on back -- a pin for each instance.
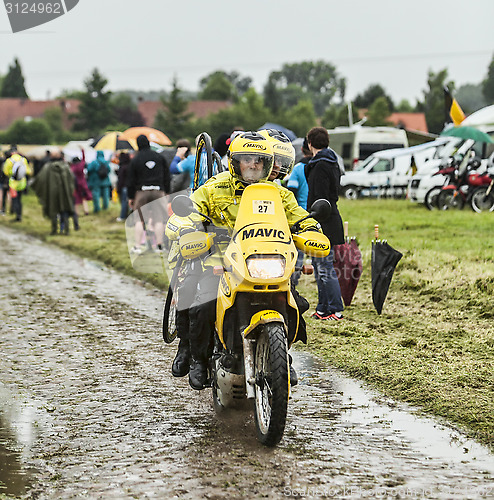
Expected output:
(148, 180)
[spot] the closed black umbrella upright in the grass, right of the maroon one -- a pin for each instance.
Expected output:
(383, 263)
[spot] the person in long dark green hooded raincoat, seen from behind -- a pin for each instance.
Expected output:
(54, 186)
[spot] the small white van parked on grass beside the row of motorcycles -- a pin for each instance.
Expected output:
(388, 172)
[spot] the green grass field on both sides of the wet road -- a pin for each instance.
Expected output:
(433, 345)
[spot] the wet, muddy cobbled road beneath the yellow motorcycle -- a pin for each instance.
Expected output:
(89, 409)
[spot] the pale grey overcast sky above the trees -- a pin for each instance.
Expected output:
(141, 44)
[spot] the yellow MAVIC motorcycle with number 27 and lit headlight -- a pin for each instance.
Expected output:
(257, 318)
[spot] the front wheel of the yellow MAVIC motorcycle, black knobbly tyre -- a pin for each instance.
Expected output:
(272, 384)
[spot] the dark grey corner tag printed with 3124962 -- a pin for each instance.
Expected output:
(27, 14)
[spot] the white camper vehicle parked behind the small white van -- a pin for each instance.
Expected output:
(357, 143)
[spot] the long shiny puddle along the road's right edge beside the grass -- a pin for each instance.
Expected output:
(367, 409)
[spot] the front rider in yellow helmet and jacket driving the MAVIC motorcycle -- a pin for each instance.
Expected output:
(250, 160)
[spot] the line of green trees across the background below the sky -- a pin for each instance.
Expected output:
(298, 96)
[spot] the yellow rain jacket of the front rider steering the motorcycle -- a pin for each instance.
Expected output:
(219, 198)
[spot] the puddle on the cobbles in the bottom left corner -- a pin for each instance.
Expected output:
(17, 433)
